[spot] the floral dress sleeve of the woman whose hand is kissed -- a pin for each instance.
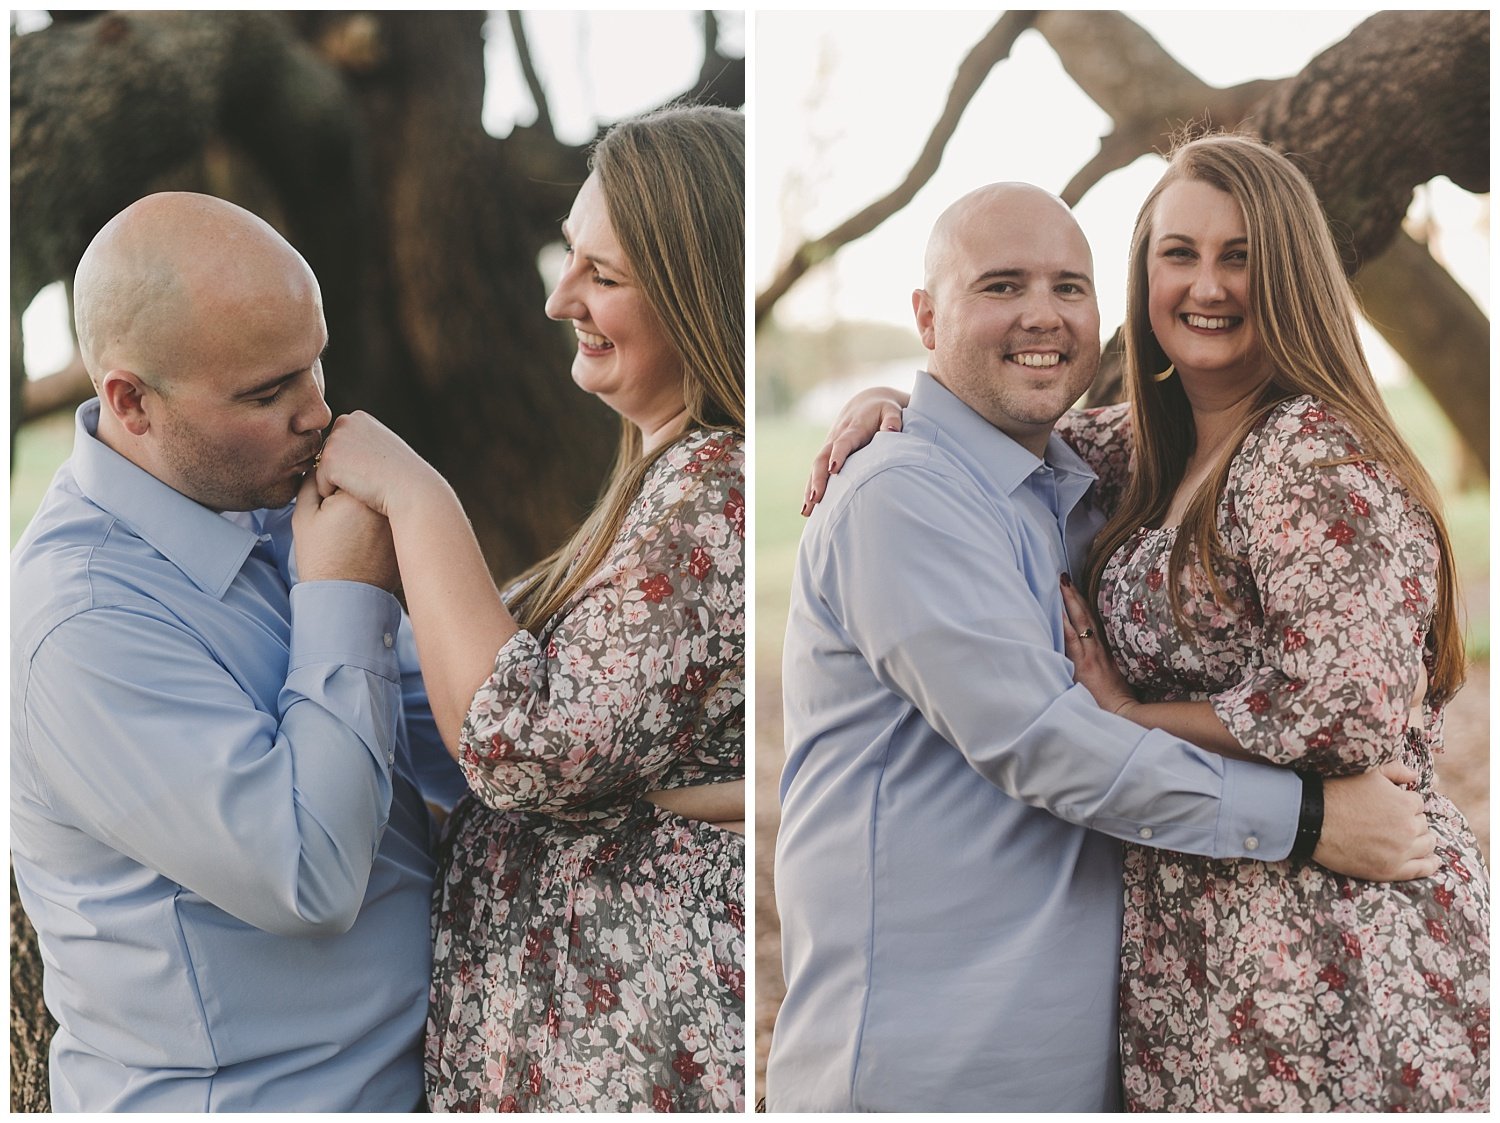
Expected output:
(634, 674)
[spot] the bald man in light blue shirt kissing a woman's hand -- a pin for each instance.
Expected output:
(215, 818)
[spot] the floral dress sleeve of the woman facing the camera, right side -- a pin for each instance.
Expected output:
(1345, 567)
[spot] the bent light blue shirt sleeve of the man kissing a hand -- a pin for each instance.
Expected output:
(152, 747)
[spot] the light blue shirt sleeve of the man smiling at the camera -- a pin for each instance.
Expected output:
(938, 605)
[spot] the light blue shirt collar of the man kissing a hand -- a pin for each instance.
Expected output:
(197, 541)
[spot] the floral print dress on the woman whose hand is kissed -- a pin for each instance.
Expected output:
(589, 947)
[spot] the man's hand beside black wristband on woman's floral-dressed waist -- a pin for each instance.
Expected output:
(1376, 830)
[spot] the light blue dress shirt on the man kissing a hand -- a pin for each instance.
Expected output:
(214, 821)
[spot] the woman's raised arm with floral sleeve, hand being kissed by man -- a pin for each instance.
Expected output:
(647, 659)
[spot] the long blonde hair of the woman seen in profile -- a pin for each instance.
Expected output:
(674, 184)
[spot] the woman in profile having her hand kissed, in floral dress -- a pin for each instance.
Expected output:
(589, 941)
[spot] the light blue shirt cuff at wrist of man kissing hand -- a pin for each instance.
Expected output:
(347, 623)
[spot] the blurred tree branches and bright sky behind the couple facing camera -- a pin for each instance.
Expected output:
(869, 128)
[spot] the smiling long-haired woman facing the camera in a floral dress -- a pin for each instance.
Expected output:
(1277, 582)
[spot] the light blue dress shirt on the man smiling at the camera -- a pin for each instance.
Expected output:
(947, 872)
